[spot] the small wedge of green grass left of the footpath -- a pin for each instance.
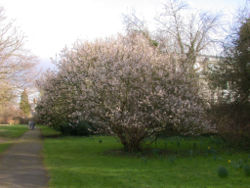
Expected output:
(8, 133)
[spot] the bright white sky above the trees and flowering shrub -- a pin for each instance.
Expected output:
(50, 25)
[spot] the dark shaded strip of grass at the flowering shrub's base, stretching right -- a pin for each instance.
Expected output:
(179, 147)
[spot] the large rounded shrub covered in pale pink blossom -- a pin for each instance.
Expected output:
(126, 86)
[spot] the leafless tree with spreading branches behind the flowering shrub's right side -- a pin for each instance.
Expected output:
(186, 33)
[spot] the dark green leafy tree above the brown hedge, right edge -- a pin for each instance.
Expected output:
(232, 74)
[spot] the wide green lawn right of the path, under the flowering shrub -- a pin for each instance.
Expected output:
(99, 162)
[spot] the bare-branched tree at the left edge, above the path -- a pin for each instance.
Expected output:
(16, 64)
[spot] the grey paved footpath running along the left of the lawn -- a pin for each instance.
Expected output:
(21, 166)
